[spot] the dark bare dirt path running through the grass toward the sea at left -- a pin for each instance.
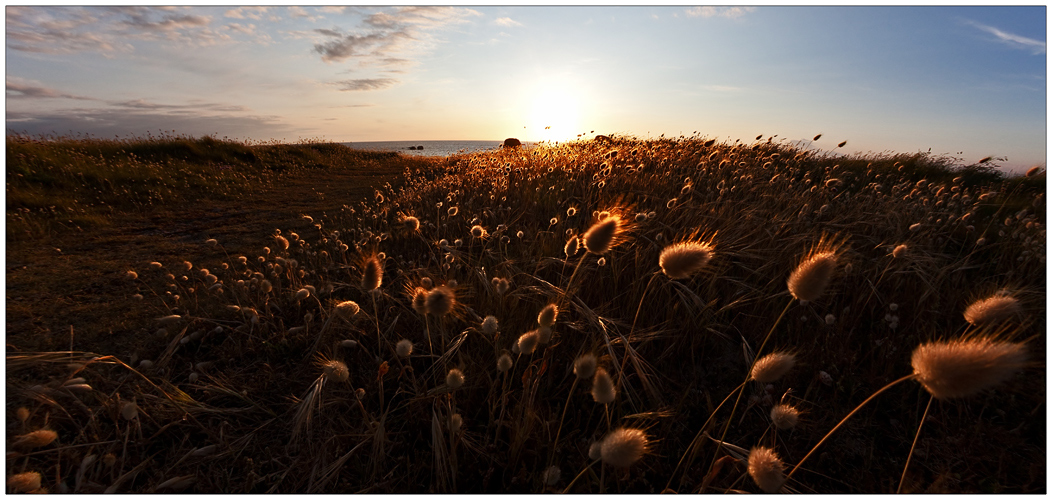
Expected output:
(75, 283)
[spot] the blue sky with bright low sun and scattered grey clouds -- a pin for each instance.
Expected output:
(964, 82)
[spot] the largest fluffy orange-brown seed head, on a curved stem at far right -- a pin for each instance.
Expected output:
(958, 369)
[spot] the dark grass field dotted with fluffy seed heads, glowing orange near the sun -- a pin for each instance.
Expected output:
(606, 316)
